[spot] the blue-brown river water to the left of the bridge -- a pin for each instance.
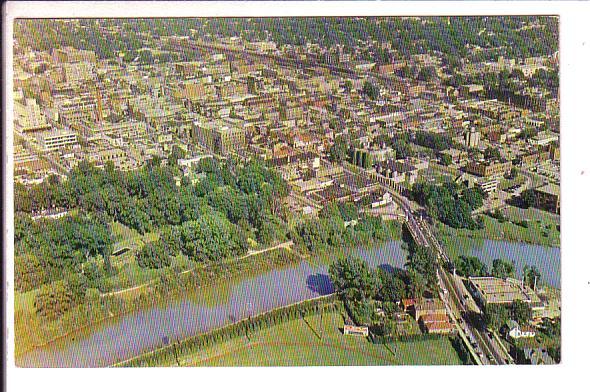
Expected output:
(205, 309)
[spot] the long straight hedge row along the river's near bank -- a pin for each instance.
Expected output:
(170, 353)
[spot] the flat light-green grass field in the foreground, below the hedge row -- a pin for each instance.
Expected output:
(317, 341)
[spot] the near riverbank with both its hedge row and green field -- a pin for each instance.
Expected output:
(313, 339)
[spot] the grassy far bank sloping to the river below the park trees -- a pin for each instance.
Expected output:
(32, 332)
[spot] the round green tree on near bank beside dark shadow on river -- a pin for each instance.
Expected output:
(352, 279)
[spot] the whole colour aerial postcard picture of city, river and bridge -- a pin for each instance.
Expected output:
(286, 191)
